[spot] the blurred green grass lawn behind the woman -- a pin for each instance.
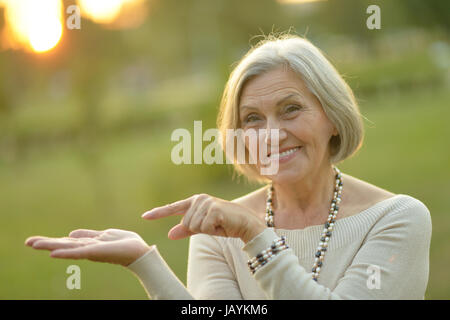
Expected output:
(113, 180)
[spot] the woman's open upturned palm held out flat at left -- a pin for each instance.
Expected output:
(111, 245)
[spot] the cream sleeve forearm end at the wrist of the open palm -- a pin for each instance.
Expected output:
(157, 278)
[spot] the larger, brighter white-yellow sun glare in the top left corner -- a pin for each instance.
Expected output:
(33, 25)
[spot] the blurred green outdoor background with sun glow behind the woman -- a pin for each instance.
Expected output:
(86, 117)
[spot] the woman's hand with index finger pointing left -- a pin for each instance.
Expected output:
(203, 213)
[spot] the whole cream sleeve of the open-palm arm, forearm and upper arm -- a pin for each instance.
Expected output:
(209, 276)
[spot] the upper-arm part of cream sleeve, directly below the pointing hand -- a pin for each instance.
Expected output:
(209, 275)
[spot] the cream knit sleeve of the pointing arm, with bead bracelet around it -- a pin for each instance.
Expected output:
(396, 249)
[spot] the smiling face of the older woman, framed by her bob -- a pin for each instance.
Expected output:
(279, 99)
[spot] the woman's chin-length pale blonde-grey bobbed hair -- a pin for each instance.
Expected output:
(320, 77)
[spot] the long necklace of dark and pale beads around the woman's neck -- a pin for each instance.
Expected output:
(328, 227)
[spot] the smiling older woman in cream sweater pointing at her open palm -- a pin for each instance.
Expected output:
(311, 232)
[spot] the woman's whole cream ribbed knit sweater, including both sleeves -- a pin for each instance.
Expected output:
(379, 253)
